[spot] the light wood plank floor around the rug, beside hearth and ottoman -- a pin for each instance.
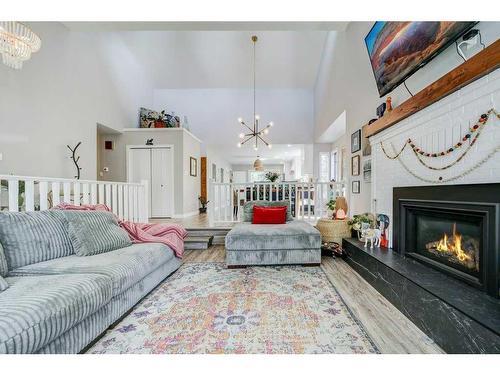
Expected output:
(391, 331)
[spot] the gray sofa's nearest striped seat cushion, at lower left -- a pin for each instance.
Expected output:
(35, 310)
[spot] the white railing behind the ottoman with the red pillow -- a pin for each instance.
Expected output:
(308, 200)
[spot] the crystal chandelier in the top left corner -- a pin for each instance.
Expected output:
(17, 43)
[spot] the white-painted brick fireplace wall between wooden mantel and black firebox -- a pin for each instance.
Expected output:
(437, 128)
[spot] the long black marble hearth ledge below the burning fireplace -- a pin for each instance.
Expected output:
(457, 316)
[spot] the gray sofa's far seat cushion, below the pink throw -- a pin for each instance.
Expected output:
(124, 266)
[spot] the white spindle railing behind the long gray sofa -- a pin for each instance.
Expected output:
(129, 201)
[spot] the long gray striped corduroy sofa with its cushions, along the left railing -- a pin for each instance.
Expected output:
(66, 276)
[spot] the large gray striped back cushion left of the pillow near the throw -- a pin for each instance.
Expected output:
(32, 237)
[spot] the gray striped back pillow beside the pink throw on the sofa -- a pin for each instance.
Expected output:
(95, 232)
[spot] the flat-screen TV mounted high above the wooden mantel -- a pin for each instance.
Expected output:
(399, 49)
